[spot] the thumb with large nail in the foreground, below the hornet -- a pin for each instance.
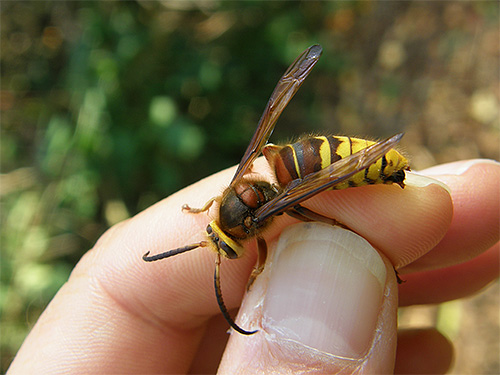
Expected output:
(325, 303)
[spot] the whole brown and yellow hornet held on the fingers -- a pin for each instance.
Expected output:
(302, 169)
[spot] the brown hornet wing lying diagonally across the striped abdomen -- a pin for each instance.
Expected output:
(328, 177)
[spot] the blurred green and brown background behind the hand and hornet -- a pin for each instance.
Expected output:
(108, 107)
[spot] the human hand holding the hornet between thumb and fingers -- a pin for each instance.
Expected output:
(117, 314)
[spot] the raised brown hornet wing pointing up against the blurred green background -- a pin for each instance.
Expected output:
(284, 91)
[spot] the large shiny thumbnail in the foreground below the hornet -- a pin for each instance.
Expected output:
(325, 289)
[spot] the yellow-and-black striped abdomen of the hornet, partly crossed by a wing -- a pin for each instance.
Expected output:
(311, 154)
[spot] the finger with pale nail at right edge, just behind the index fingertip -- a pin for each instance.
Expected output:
(474, 186)
